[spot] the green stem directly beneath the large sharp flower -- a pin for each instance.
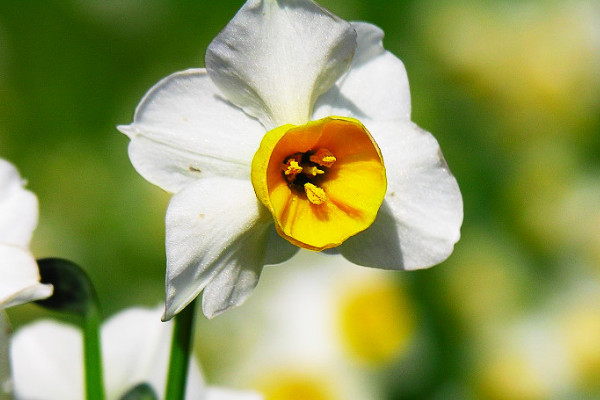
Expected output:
(181, 349)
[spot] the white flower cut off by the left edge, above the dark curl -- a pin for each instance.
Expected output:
(19, 275)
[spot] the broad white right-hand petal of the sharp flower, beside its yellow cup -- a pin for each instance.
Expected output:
(423, 200)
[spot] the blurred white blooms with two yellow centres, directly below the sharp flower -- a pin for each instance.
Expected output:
(319, 326)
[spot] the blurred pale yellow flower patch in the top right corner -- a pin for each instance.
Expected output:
(537, 61)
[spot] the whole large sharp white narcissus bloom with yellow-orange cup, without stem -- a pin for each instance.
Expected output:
(300, 121)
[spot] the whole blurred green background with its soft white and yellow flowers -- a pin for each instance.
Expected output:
(511, 90)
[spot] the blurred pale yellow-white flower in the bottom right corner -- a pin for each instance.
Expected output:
(552, 353)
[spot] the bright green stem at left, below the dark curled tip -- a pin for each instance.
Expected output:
(94, 387)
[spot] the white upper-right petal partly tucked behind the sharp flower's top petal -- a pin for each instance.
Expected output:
(375, 87)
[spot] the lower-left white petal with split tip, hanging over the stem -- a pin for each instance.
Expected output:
(216, 235)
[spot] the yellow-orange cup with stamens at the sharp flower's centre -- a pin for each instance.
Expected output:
(322, 182)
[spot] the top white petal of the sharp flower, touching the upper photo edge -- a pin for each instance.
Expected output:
(275, 58)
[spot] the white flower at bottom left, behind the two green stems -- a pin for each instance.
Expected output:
(47, 359)
